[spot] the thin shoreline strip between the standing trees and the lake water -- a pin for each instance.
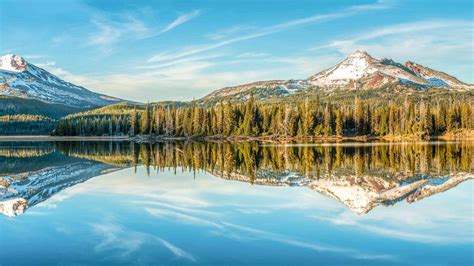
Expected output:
(266, 139)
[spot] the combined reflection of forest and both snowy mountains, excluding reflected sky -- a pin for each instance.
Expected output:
(361, 176)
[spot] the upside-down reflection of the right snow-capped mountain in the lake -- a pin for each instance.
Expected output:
(361, 194)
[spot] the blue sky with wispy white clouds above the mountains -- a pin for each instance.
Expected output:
(159, 50)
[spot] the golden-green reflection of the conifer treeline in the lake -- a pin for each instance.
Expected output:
(251, 158)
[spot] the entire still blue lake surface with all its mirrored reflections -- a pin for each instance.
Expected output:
(117, 203)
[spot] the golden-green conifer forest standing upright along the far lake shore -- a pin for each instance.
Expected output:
(281, 120)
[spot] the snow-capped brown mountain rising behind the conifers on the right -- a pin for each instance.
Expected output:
(359, 71)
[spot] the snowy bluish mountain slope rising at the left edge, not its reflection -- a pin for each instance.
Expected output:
(22, 79)
